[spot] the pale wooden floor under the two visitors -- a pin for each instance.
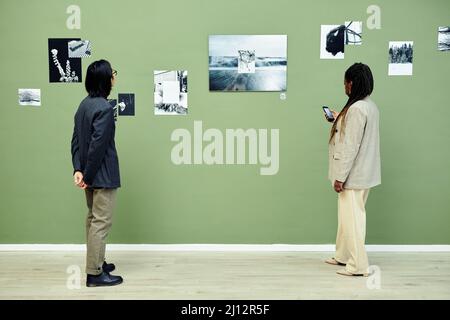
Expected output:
(225, 275)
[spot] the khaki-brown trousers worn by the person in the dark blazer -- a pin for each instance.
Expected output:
(100, 203)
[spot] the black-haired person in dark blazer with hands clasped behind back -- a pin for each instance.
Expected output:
(96, 168)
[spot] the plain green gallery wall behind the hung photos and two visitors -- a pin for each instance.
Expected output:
(164, 203)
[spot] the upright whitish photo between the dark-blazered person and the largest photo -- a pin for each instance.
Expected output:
(170, 92)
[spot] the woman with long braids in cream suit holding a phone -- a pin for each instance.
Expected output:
(354, 168)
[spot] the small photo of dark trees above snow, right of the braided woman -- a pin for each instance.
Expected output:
(400, 58)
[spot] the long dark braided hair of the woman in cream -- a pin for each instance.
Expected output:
(362, 86)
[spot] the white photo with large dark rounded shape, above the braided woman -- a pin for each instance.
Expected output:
(332, 41)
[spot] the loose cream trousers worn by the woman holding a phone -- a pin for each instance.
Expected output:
(351, 232)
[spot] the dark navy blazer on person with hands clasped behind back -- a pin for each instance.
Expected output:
(93, 147)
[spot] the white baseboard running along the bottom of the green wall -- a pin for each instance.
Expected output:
(223, 247)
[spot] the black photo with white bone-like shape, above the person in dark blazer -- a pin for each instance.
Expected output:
(62, 68)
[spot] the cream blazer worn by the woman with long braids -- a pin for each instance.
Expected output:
(354, 158)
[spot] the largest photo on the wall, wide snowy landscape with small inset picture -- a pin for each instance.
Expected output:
(247, 62)
